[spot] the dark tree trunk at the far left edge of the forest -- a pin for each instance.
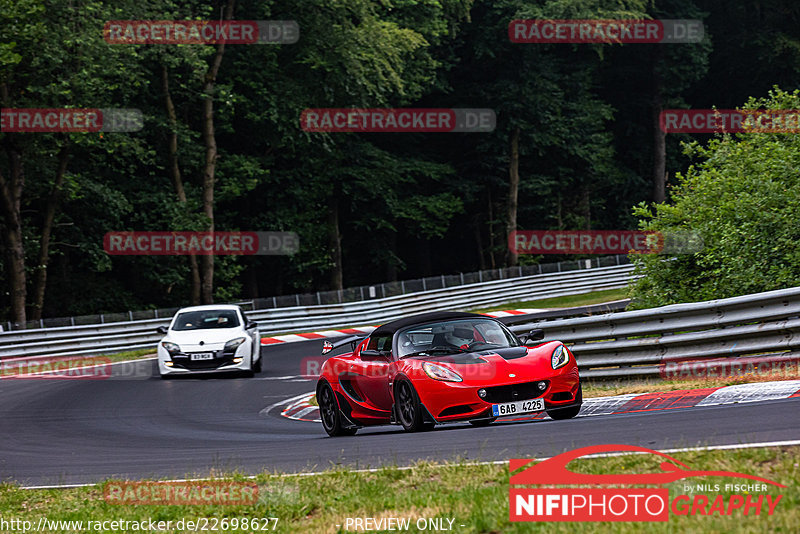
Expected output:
(10, 202)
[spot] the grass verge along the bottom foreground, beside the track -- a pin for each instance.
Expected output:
(475, 496)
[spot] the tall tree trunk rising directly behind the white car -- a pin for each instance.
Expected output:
(210, 141)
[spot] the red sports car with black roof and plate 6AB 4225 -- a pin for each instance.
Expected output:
(443, 367)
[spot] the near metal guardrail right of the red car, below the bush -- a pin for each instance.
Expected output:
(641, 342)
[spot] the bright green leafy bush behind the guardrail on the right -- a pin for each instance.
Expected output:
(743, 199)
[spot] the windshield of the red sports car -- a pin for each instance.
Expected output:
(454, 336)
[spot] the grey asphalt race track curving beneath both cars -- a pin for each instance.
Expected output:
(56, 431)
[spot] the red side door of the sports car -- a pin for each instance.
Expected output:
(370, 374)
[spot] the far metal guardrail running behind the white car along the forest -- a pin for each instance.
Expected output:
(134, 335)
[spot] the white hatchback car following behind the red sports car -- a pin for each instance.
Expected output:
(211, 338)
